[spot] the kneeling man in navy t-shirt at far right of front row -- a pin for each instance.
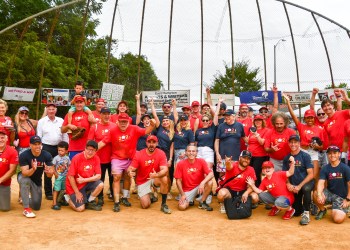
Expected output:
(337, 193)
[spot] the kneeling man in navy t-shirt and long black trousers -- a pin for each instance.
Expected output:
(301, 183)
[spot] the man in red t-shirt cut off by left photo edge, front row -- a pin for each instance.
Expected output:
(8, 163)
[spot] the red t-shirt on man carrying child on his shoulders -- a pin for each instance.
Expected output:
(79, 119)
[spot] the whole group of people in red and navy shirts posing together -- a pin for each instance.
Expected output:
(255, 157)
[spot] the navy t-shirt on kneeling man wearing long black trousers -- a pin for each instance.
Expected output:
(302, 164)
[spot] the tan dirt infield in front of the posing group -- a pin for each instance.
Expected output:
(135, 228)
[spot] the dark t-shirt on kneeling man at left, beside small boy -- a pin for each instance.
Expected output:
(26, 159)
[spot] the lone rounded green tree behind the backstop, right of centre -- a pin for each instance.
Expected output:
(245, 79)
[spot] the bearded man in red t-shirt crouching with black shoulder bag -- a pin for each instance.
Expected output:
(240, 170)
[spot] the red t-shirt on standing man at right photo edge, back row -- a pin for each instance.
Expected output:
(335, 127)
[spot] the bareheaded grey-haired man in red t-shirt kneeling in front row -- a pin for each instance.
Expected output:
(193, 177)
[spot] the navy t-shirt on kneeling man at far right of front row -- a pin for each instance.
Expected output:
(337, 178)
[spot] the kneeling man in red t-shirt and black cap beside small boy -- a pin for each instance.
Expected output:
(84, 176)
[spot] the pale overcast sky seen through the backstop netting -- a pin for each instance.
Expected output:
(185, 59)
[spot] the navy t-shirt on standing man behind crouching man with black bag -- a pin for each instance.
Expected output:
(230, 137)
